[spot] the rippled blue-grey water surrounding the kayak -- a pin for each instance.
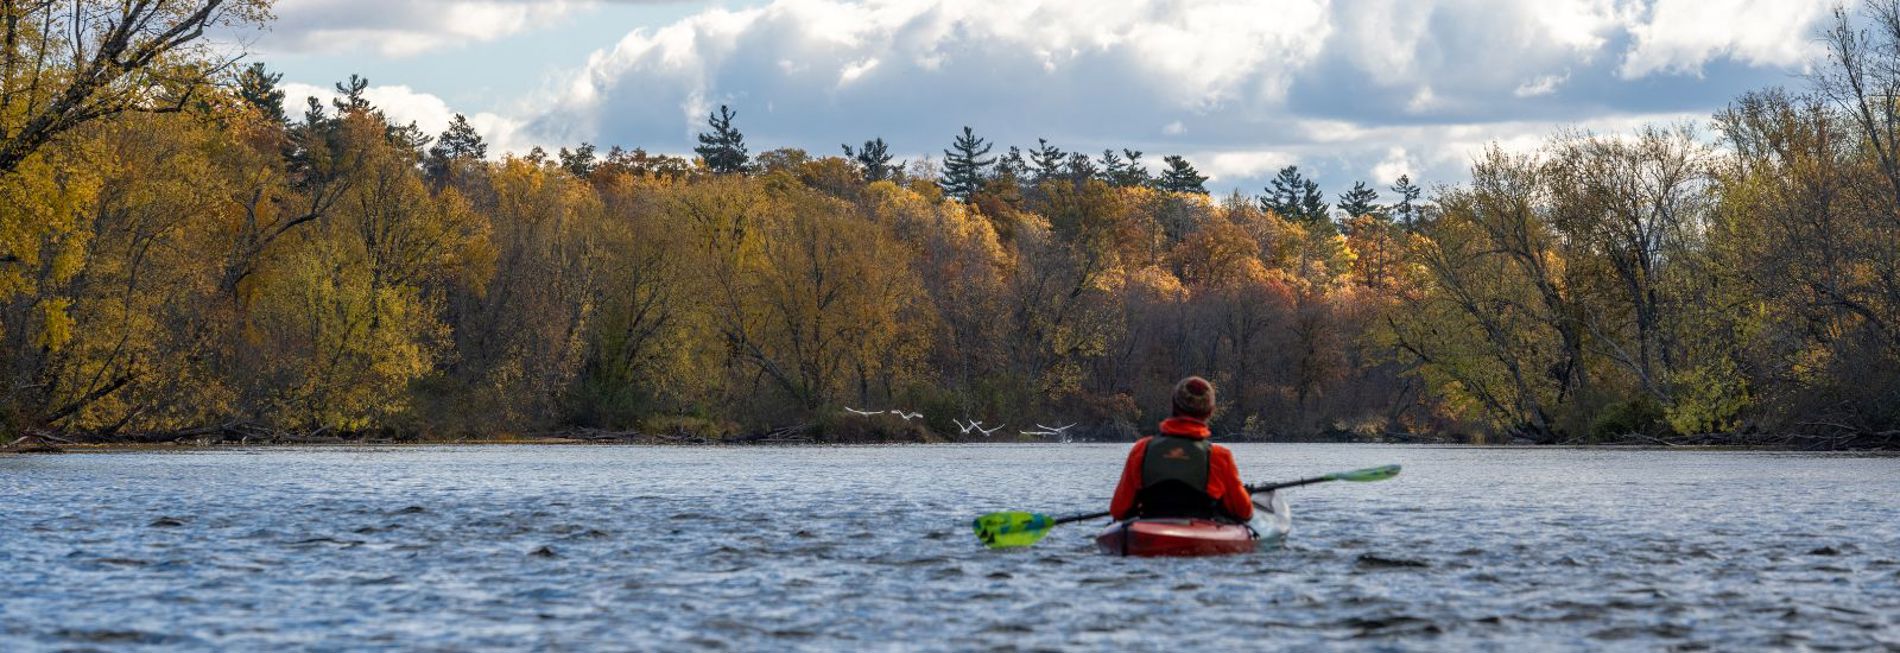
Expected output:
(786, 550)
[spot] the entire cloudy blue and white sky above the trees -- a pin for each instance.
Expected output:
(1348, 90)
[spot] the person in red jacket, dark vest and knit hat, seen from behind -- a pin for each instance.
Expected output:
(1181, 474)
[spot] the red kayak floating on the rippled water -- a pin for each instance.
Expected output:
(1198, 538)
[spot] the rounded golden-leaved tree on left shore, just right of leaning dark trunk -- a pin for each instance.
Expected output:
(349, 326)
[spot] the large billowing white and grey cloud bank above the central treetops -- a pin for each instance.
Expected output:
(1344, 88)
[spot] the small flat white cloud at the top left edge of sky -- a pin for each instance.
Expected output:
(404, 28)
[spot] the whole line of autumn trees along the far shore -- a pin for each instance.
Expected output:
(181, 250)
